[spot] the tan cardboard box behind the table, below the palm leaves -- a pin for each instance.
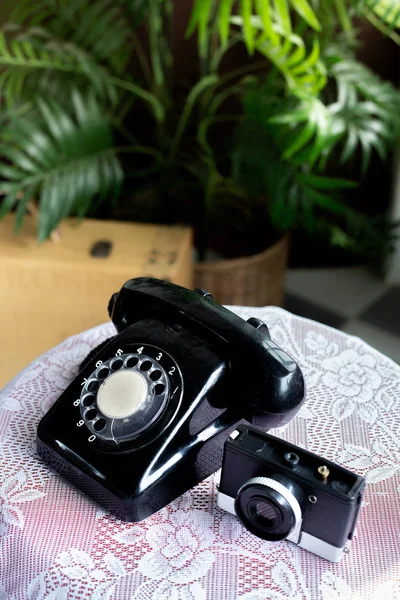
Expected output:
(57, 289)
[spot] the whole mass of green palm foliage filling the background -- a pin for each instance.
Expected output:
(90, 112)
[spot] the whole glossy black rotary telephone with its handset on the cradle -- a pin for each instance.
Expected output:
(147, 416)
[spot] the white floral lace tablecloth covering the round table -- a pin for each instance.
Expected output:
(55, 544)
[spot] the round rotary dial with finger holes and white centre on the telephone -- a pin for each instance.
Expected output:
(127, 394)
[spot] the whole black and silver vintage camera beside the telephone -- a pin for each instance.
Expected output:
(280, 491)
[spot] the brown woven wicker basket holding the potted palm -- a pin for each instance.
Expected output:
(256, 280)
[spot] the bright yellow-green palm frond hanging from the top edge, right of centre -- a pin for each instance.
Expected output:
(267, 11)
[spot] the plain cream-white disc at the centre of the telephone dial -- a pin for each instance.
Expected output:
(122, 394)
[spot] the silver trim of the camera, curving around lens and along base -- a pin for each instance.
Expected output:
(296, 536)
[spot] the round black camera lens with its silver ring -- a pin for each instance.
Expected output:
(268, 508)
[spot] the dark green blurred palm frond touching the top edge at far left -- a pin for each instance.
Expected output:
(101, 28)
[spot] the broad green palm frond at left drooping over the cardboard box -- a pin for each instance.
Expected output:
(65, 159)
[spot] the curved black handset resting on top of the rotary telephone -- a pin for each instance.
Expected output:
(267, 377)
